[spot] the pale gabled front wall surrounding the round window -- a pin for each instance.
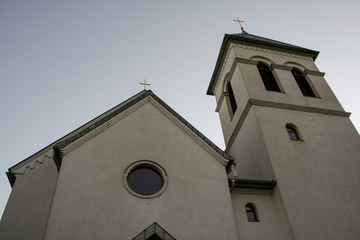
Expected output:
(91, 201)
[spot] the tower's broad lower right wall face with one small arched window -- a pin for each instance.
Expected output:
(318, 177)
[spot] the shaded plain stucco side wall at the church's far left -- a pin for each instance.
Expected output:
(27, 210)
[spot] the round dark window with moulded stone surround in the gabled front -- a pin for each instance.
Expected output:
(145, 179)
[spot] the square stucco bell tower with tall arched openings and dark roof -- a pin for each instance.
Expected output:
(281, 121)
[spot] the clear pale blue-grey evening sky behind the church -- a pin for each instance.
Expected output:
(62, 63)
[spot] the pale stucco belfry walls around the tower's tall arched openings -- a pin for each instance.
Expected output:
(247, 83)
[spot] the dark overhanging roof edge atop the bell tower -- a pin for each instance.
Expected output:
(253, 40)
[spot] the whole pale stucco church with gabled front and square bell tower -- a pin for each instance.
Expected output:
(140, 171)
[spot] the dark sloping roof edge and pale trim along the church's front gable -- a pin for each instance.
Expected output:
(93, 127)
